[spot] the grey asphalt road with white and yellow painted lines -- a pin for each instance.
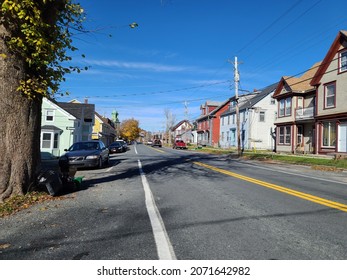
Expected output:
(160, 203)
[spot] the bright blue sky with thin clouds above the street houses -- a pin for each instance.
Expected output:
(178, 56)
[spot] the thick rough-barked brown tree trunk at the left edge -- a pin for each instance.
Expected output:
(20, 122)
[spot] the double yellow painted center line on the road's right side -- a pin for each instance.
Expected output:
(312, 198)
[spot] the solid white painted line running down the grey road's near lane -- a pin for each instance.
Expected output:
(161, 238)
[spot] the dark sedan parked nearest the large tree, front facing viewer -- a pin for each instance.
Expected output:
(85, 154)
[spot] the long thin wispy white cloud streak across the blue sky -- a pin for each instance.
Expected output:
(138, 65)
